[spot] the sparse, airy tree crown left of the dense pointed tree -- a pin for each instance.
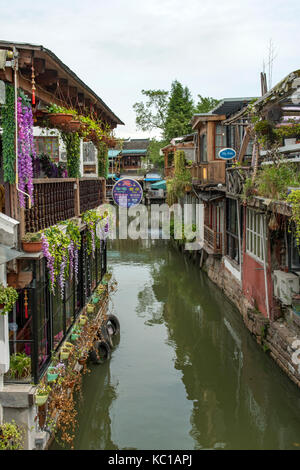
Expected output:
(152, 114)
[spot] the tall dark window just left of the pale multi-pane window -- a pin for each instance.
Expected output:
(232, 231)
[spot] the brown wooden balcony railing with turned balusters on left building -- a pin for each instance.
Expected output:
(58, 199)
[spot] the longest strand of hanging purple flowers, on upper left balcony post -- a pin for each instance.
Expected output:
(26, 150)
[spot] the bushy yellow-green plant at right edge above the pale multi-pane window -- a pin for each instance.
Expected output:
(273, 180)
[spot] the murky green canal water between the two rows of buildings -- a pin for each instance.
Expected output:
(185, 372)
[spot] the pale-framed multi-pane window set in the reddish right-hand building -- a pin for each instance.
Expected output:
(253, 236)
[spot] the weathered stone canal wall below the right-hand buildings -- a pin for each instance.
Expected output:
(279, 338)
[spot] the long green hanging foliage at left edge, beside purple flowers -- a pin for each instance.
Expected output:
(8, 136)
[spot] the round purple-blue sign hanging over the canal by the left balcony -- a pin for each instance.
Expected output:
(127, 192)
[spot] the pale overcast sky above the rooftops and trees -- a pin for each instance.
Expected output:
(119, 47)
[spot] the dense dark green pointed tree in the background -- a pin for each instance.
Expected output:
(179, 112)
